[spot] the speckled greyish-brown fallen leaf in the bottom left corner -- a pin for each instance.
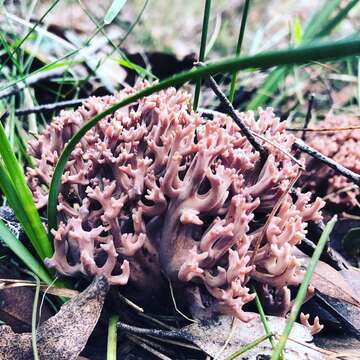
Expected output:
(63, 336)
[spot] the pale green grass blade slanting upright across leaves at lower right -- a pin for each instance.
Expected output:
(303, 289)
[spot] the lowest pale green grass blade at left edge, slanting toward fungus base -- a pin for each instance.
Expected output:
(18, 248)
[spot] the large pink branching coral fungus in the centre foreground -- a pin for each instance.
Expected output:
(154, 188)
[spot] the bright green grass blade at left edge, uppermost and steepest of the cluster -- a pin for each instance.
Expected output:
(39, 237)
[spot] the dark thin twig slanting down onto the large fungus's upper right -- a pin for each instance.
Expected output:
(231, 112)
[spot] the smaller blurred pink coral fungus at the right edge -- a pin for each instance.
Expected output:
(344, 147)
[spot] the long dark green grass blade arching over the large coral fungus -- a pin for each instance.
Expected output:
(265, 60)
